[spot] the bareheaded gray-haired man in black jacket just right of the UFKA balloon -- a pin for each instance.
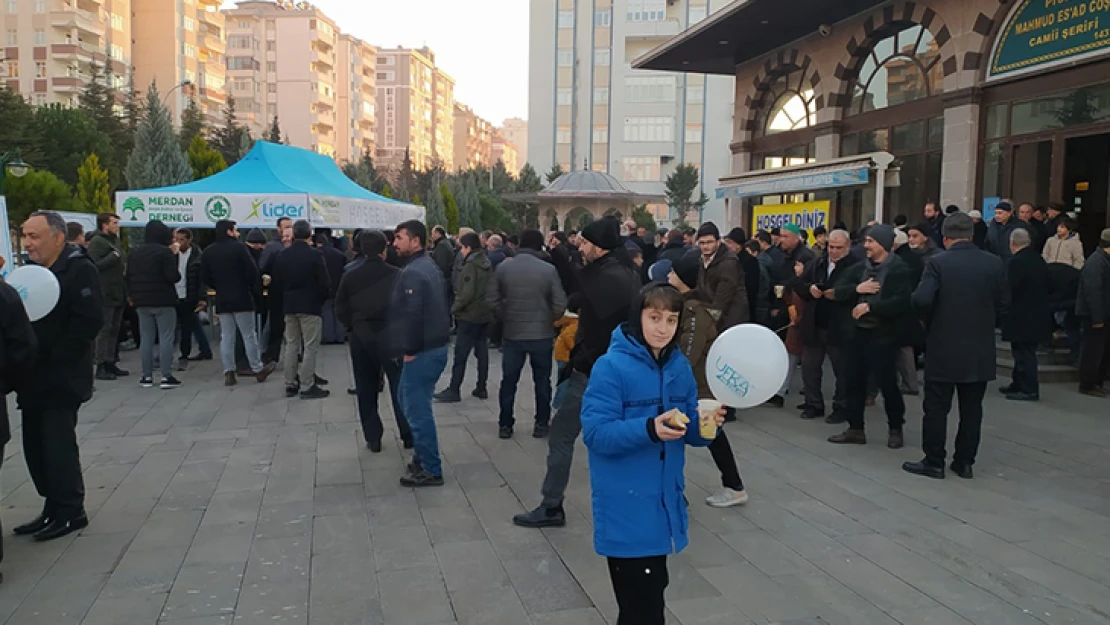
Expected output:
(823, 325)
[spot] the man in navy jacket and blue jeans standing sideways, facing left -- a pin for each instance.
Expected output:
(422, 331)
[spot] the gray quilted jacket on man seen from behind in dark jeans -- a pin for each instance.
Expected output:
(527, 297)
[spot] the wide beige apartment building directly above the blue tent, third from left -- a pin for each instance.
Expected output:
(284, 62)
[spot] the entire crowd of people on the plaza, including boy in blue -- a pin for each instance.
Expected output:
(610, 309)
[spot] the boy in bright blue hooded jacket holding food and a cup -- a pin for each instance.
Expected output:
(638, 455)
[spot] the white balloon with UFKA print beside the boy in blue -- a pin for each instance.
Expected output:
(746, 366)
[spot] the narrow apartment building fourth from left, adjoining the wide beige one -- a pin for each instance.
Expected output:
(358, 125)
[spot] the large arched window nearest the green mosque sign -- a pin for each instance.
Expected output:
(902, 67)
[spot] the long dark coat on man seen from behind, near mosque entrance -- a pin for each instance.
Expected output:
(964, 296)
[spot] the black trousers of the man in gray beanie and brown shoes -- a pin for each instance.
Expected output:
(874, 357)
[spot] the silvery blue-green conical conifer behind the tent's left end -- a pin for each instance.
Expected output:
(157, 160)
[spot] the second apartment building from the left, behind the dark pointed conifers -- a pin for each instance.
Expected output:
(183, 47)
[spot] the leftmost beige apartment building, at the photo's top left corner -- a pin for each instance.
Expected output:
(49, 47)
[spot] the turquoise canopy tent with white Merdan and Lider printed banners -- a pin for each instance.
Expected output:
(270, 183)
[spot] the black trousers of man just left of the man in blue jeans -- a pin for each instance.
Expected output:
(369, 366)
